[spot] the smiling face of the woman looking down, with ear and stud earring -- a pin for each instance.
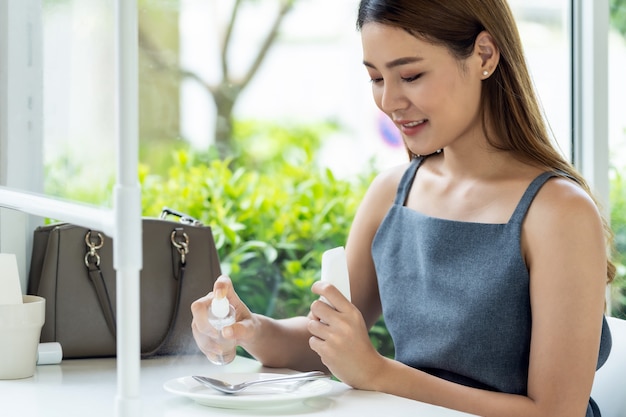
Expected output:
(431, 96)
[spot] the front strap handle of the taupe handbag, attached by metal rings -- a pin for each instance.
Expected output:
(180, 248)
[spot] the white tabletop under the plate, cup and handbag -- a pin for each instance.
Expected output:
(87, 388)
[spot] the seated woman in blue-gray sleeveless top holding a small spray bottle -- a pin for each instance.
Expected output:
(486, 252)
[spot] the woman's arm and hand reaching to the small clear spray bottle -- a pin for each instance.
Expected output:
(285, 342)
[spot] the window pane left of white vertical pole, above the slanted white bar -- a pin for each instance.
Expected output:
(79, 101)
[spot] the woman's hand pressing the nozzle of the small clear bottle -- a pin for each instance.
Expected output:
(205, 335)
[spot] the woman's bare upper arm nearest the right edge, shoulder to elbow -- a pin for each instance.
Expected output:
(567, 256)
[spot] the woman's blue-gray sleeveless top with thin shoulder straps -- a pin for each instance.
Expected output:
(455, 295)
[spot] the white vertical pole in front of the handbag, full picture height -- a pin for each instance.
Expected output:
(127, 256)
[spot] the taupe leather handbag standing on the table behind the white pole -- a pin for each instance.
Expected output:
(72, 268)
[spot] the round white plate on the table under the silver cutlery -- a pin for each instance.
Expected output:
(263, 395)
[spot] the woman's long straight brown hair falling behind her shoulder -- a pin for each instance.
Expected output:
(508, 102)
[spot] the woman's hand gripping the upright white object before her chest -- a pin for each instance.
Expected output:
(340, 337)
